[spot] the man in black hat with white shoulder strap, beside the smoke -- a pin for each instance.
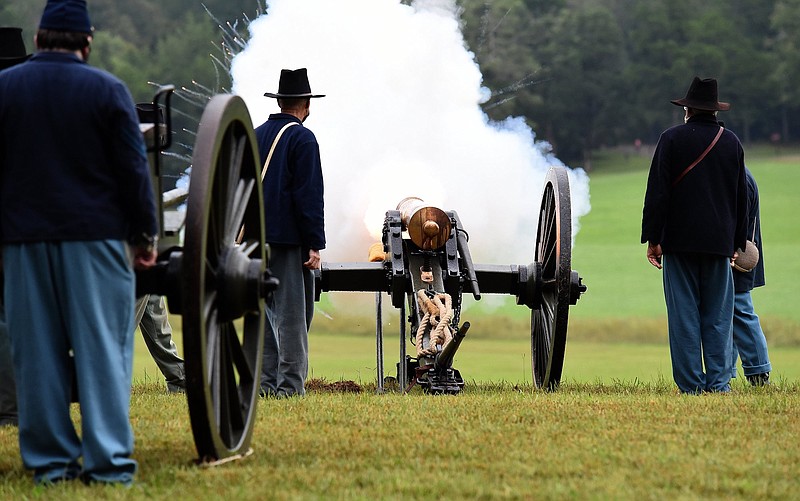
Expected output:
(294, 229)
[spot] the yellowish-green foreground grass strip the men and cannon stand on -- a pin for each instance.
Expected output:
(586, 441)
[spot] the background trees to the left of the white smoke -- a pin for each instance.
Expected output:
(152, 42)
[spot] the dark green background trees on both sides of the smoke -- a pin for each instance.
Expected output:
(586, 74)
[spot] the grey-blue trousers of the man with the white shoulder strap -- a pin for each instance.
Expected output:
(289, 315)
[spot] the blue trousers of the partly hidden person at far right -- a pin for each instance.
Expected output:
(749, 341)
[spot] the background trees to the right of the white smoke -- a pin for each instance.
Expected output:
(593, 73)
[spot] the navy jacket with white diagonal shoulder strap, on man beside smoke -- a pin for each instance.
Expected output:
(294, 212)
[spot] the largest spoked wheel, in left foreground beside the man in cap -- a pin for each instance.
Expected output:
(223, 306)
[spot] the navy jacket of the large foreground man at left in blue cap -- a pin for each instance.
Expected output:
(72, 156)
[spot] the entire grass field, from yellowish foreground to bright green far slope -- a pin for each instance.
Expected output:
(617, 428)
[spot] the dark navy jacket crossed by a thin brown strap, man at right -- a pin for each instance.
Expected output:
(706, 212)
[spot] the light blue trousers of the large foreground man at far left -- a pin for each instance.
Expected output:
(79, 296)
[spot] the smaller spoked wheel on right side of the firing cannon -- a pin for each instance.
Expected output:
(552, 264)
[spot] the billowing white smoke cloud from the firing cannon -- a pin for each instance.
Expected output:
(402, 117)
